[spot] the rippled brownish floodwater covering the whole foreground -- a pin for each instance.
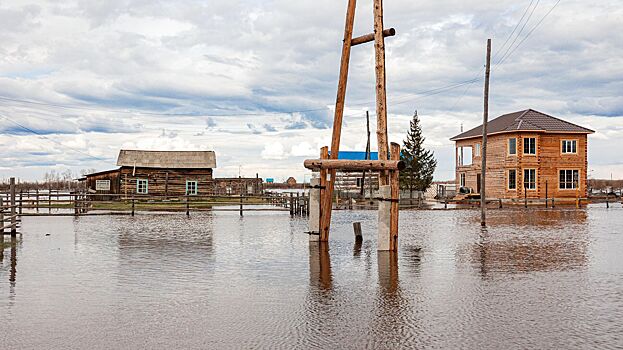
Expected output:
(534, 279)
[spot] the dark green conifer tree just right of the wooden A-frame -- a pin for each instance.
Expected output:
(420, 163)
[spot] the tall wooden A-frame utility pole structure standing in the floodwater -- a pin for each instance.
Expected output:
(388, 168)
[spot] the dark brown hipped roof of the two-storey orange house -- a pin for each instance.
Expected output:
(526, 120)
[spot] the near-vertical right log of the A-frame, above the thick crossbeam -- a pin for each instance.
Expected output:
(381, 94)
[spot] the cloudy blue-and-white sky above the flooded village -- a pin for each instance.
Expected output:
(256, 80)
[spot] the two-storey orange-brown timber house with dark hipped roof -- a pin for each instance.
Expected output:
(529, 154)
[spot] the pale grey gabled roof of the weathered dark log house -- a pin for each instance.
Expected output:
(167, 159)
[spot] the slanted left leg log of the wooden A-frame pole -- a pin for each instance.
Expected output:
(327, 198)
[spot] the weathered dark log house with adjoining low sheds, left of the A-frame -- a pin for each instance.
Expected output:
(167, 173)
